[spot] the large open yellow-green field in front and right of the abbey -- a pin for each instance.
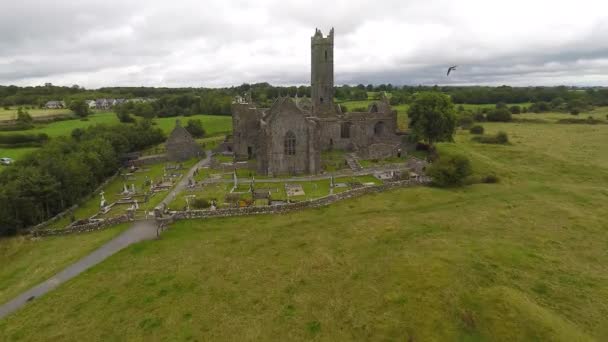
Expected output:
(524, 259)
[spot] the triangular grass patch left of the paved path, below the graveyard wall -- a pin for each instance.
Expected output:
(27, 262)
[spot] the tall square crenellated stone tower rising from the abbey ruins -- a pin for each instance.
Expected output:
(322, 72)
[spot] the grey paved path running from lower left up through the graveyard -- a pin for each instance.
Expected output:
(139, 231)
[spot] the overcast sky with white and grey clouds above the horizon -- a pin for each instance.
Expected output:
(217, 43)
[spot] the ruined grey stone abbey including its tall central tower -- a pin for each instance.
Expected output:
(289, 137)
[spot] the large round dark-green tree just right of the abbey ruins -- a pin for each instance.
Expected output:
(432, 117)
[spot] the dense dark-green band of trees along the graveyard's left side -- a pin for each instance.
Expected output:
(65, 170)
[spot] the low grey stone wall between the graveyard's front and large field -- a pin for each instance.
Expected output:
(321, 202)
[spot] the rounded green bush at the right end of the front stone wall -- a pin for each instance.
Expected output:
(450, 171)
